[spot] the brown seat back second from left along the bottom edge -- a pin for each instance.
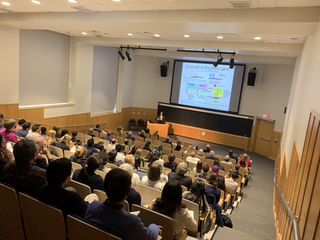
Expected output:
(41, 221)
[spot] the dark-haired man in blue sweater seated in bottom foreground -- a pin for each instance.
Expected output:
(110, 214)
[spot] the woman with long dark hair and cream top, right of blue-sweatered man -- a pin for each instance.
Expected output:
(170, 204)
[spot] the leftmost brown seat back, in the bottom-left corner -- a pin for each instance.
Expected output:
(11, 226)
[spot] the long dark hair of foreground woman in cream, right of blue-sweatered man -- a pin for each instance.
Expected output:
(171, 199)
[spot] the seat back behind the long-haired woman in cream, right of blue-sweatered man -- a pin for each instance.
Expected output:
(148, 216)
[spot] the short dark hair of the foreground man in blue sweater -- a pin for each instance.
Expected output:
(117, 184)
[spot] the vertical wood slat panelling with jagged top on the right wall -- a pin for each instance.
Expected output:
(300, 186)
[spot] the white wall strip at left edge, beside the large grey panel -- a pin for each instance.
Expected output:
(9, 65)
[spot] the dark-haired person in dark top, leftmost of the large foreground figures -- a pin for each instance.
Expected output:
(21, 173)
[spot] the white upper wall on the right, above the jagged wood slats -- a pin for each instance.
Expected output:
(304, 94)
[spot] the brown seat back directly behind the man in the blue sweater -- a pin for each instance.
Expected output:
(81, 230)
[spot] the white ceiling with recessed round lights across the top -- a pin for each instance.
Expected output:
(283, 25)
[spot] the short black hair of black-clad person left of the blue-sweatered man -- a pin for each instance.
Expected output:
(58, 171)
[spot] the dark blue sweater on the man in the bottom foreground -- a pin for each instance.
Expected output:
(124, 224)
